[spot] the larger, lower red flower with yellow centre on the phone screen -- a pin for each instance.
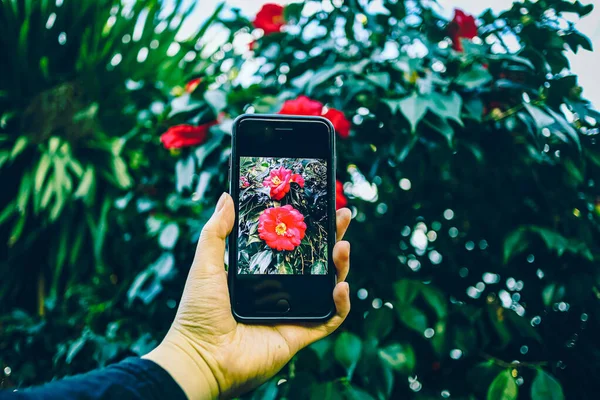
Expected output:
(282, 228)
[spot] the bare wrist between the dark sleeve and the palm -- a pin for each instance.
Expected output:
(186, 366)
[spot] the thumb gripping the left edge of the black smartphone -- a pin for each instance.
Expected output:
(211, 246)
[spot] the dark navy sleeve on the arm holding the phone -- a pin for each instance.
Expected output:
(133, 378)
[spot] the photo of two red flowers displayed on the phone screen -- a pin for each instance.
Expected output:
(282, 216)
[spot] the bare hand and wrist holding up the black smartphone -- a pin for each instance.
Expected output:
(207, 351)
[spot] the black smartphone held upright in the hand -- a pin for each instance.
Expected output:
(282, 180)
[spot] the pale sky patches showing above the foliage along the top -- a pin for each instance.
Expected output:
(583, 64)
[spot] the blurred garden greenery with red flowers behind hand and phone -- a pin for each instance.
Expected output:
(467, 152)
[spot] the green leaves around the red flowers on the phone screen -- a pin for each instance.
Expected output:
(255, 256)
